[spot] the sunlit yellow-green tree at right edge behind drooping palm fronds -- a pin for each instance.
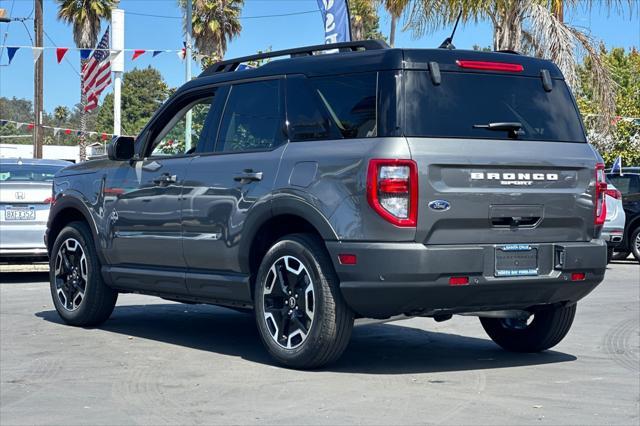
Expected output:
(624, 140)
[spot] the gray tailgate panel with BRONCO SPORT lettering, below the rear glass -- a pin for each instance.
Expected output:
(500, 191)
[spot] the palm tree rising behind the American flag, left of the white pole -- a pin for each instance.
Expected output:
(85, 17)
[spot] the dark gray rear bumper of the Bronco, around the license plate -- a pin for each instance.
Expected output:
(411, 278)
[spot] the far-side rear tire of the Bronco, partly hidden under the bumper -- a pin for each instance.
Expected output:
(547, 329)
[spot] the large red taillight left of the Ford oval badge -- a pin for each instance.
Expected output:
(392, 190)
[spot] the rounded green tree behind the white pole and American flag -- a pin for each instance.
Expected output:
(143, 91)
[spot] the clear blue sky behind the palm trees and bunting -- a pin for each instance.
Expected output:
(61, 83)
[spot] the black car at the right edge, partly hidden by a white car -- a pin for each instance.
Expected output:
(628, 183)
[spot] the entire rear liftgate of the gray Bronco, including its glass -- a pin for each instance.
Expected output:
(484, 179)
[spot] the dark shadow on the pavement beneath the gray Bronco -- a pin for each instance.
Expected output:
(374, 349)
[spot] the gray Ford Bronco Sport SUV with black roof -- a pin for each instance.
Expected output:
(329, 186)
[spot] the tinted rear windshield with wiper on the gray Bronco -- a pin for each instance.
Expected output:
(462, 100)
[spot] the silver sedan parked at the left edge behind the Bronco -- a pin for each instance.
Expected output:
(25, 198)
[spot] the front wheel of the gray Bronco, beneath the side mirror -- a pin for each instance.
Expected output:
(81, 299)
